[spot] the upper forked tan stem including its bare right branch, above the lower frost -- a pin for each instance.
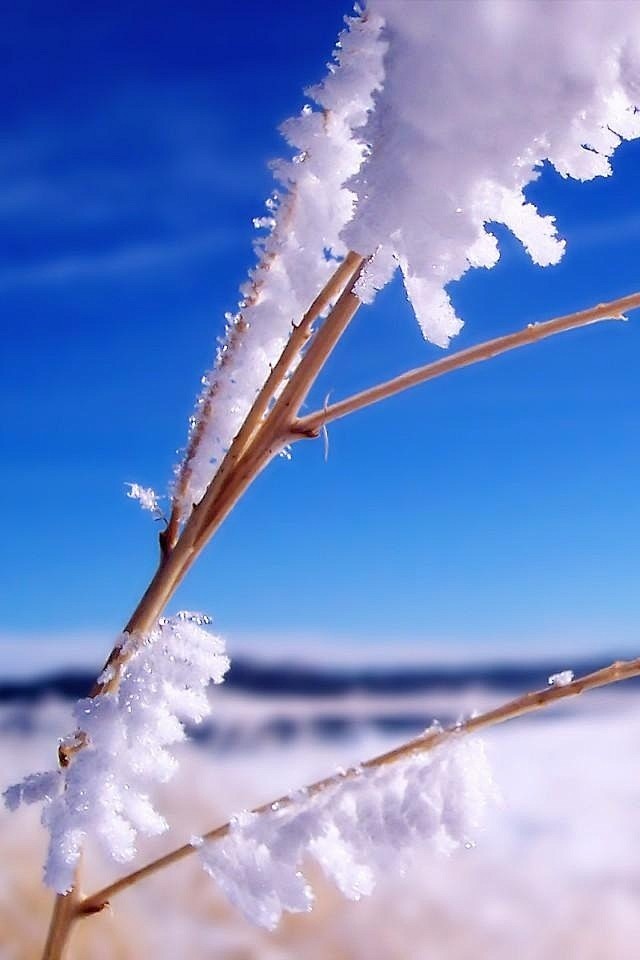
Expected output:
(264, 438)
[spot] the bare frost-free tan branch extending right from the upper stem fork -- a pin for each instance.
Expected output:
(312, 424)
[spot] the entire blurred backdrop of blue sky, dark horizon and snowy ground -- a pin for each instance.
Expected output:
(461, 543)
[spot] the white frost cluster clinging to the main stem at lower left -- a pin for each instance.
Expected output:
(103, 792)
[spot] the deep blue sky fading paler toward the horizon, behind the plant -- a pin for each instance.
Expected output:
(494, 507)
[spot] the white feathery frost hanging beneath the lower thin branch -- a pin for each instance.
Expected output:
(365, 824)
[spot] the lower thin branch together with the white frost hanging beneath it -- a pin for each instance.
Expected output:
(444, 810)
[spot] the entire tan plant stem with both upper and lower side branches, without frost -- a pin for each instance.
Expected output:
(263, 435)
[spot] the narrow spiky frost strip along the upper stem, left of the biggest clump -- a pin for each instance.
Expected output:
(299, 253)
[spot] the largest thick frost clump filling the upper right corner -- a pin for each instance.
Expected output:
(464, 121)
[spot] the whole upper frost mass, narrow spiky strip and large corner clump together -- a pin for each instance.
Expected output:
(433, 119)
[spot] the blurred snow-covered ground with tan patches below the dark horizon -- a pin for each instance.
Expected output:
(555, 874)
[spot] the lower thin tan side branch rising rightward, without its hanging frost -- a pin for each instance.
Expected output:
(528, 703)
